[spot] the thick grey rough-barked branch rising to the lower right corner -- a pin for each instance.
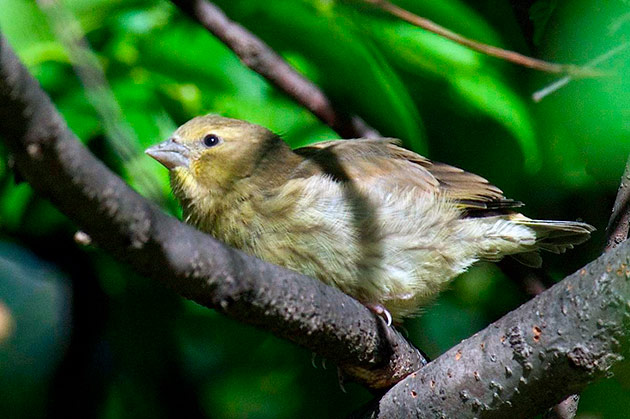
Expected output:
(532, 358)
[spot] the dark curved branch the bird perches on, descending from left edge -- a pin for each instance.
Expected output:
(123, 223)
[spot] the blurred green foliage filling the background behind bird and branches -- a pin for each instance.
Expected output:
(133, 349)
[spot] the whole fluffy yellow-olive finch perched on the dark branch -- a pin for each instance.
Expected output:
(383, 224)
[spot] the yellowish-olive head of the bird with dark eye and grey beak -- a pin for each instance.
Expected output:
(211, 153)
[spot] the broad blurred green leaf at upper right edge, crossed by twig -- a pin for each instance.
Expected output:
(589, 116)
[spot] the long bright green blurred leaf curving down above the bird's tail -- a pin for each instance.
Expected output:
(472, 79)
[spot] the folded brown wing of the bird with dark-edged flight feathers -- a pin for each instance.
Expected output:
(382, 162)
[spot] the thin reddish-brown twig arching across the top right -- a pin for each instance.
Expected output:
(503, 54)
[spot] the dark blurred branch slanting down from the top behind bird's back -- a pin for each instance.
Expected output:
(258, 56)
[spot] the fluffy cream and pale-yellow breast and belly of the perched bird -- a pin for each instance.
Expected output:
(374, 244)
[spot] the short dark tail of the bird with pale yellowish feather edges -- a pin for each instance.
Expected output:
(552, 236)
